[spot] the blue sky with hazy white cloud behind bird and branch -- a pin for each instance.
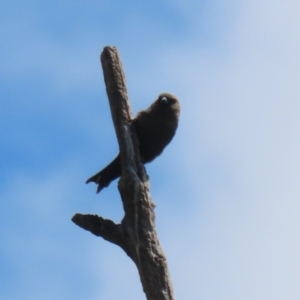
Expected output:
(227, 187)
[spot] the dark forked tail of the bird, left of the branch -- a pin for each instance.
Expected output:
(107, 175)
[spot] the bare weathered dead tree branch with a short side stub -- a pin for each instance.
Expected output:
(136, 234)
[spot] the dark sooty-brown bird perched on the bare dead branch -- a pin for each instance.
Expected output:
(155, 128)
